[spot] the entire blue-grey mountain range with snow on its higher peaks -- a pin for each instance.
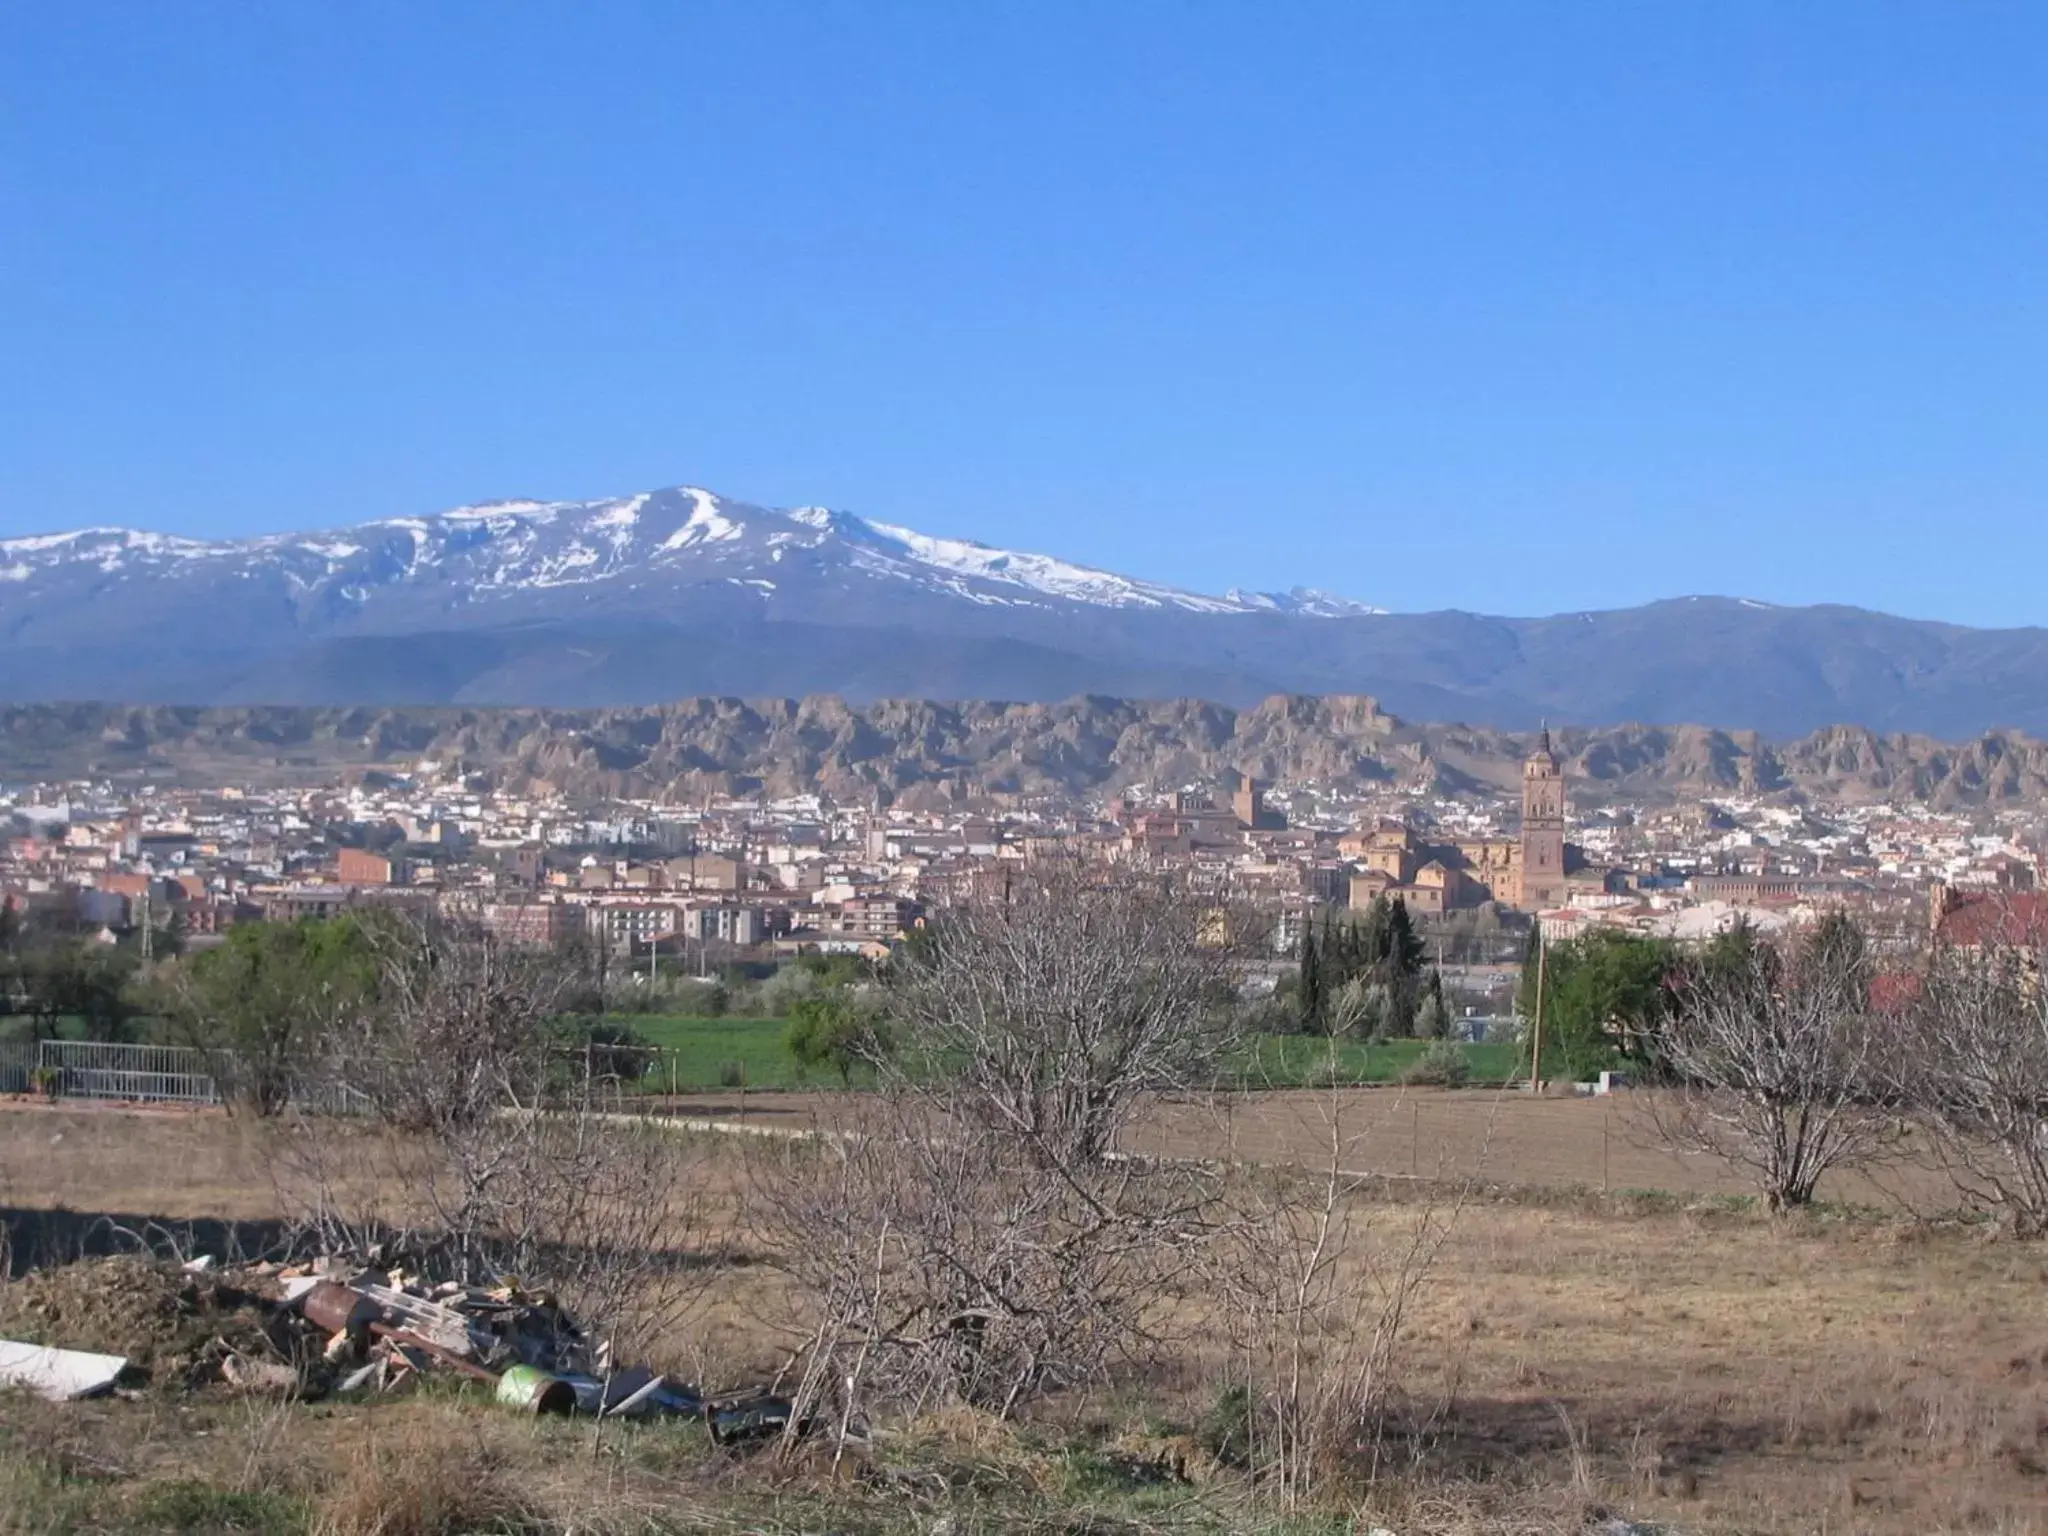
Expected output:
(683, 593)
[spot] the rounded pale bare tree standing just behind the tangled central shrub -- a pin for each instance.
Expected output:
(1060, 1007)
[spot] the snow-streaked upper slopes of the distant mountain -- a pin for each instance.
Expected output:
(622, 550)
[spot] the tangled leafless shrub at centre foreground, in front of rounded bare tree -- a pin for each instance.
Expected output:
(941, 1265)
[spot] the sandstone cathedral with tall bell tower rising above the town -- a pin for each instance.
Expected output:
(1529, 871)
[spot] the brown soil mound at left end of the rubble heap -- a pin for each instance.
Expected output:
(175, 1328)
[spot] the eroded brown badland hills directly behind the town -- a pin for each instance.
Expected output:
(925, 753)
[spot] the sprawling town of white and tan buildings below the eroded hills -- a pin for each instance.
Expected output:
(779, 876)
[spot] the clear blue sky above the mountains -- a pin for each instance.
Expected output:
(1514, 308)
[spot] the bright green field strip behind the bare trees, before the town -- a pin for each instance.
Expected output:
(701, 1054)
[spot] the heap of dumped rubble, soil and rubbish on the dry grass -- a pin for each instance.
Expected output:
(333, 1328)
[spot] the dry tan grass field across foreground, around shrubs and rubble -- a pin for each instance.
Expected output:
(1674, 1359)
